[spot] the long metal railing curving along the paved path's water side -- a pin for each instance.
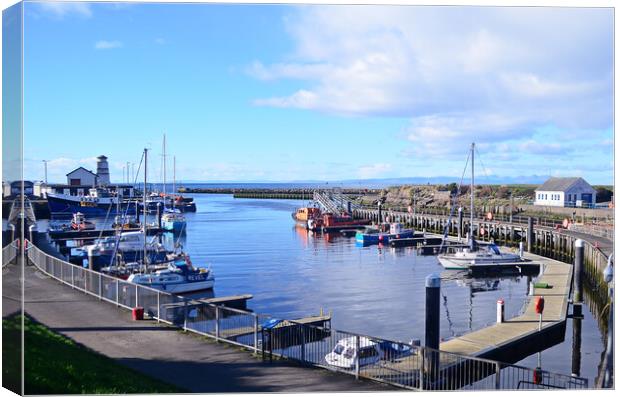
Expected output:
(397, 363)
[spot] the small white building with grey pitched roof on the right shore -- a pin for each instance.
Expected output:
(565, 192)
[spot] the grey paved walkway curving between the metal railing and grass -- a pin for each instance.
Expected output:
(163, 352)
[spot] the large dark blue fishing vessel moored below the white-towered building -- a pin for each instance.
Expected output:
(98, 202)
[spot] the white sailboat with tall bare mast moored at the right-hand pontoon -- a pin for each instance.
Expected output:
(472, 256)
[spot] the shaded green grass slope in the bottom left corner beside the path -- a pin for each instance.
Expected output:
(55, 364)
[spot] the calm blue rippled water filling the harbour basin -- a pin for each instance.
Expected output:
(254, 246)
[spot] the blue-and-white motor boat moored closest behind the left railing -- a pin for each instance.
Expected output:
(180, 277)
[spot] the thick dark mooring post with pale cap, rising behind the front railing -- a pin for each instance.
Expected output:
(431, 341)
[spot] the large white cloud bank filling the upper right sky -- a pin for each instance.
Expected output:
(459, 73)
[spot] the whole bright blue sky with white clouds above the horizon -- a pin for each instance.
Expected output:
(280, 93)
